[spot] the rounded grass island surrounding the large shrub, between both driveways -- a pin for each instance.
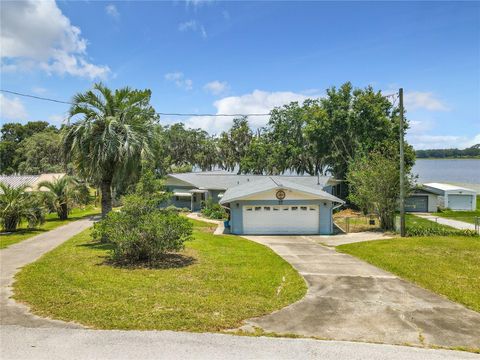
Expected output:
(231, 279)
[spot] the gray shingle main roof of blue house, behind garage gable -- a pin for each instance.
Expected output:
(217, 180)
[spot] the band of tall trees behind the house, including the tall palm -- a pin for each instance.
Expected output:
(113, 135)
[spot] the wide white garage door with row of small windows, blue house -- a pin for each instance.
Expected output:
(298, 219)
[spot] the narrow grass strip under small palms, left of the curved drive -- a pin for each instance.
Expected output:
(51, 222)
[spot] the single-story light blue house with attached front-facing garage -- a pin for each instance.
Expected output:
(262, 204)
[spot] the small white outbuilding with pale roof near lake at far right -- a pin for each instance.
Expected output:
(453, 197)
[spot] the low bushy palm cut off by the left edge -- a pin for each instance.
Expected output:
(16, 204)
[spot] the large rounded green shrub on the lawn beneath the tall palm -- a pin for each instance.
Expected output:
(141, 232)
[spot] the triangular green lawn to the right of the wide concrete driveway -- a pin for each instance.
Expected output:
(449, 266)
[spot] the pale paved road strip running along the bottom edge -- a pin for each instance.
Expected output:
(46, 344)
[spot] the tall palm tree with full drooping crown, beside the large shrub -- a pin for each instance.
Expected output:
(112, 135)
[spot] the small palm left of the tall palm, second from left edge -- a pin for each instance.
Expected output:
(62, 194)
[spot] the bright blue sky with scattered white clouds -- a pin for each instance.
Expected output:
(247, 57)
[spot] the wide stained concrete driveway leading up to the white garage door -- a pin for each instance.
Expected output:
(348, 299)
